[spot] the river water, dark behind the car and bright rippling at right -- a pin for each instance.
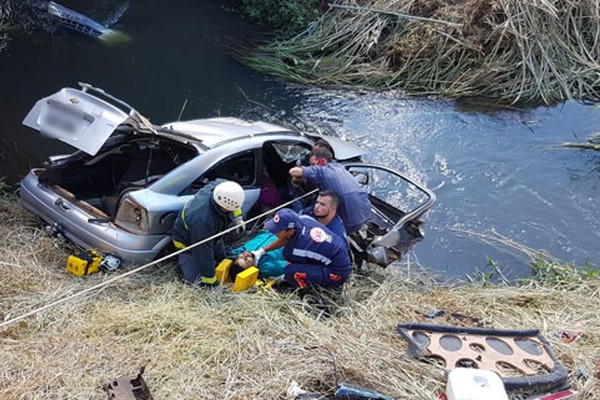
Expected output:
(496, 173)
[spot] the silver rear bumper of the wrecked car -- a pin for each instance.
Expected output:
(73, 223)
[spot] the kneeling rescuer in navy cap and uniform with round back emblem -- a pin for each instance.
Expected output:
(314, 254)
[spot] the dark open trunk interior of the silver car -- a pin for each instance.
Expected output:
(97, 183)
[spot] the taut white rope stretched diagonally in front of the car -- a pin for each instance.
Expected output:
(138, 269)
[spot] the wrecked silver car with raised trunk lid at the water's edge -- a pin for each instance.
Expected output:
(121, 191)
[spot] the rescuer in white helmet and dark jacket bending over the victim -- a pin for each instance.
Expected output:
(210, 211)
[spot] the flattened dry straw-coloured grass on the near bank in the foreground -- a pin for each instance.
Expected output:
(200, 344)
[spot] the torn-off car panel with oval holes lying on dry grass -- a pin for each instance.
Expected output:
(522, 358)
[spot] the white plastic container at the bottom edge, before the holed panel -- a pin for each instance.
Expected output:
(474, 384)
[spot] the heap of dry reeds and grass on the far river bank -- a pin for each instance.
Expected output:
(511, 51)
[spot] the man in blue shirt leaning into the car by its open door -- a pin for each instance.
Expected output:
(355, 207)
